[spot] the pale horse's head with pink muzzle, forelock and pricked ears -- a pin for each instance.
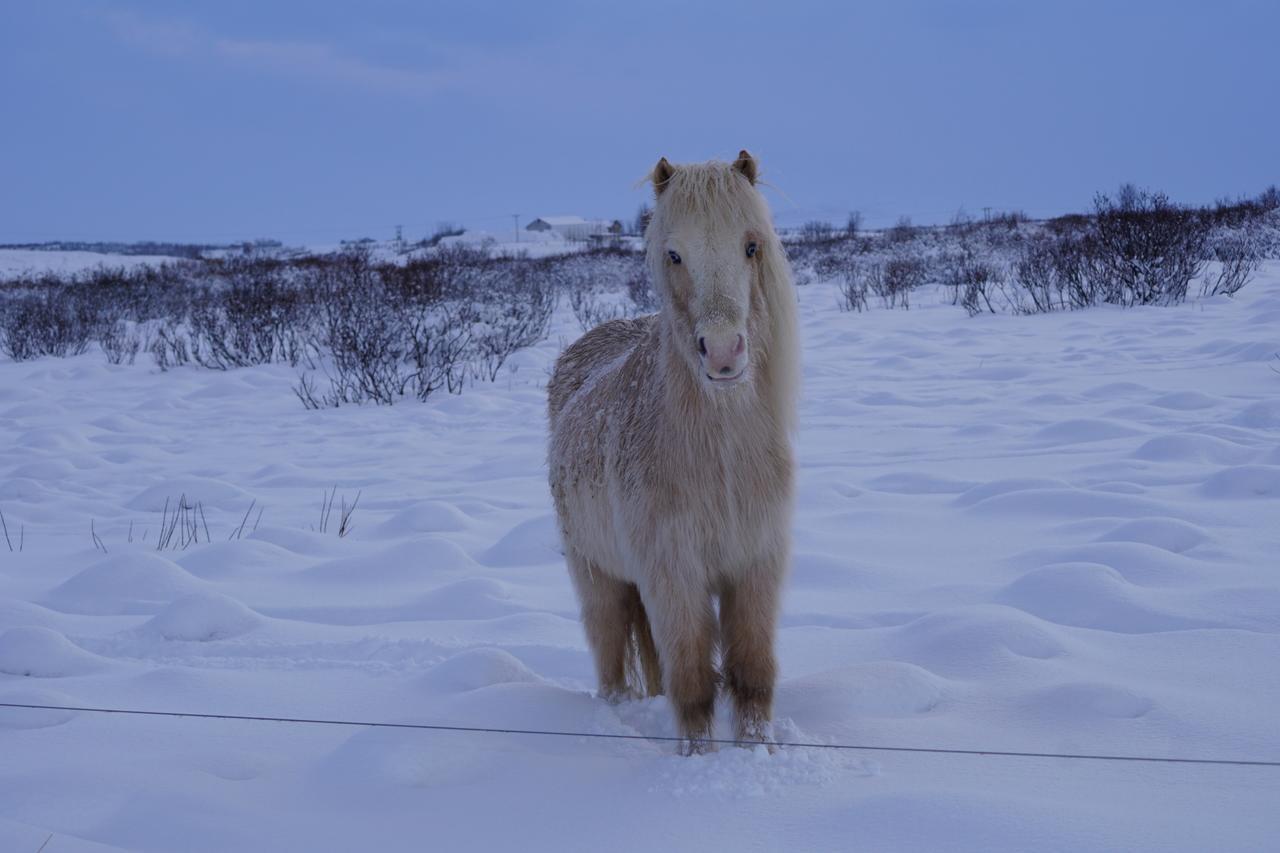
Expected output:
(707, 244)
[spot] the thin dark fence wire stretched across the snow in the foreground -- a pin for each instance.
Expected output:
(598, 736)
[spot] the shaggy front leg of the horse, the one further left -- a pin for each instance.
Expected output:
(684, 627)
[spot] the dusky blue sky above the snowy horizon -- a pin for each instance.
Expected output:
(314, 122)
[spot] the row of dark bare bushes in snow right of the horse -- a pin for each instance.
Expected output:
(1136, 249)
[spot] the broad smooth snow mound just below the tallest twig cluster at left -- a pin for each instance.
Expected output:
(131, 585)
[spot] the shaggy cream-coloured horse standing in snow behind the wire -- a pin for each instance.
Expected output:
(671, 464)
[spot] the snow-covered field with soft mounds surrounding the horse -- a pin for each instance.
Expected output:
(1050, 533)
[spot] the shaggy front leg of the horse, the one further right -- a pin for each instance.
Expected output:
(749, 608)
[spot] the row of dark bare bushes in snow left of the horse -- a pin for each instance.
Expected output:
(359, 330)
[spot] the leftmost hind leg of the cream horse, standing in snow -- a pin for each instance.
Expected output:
(606, 605)
